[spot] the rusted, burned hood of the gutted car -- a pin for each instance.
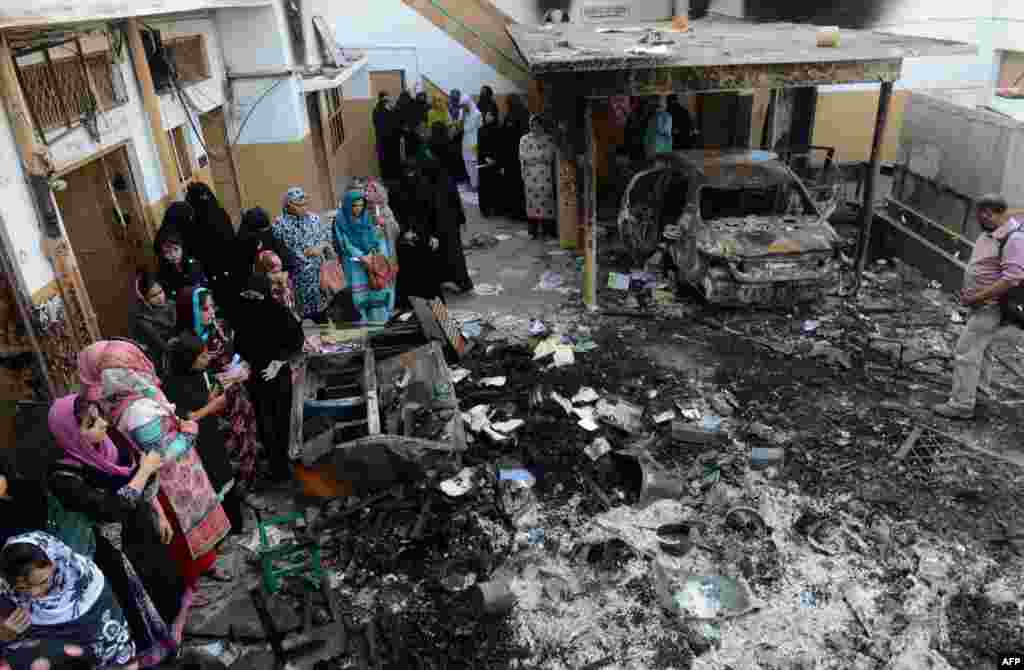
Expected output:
(765, 236)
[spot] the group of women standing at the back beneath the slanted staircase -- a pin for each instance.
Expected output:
(508, 160)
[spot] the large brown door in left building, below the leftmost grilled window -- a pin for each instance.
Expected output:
(103, 216)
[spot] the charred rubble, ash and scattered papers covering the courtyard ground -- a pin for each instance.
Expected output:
(695, 489)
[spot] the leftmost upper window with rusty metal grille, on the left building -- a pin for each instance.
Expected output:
(59, 93)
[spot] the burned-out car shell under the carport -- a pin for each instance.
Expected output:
(739, 226)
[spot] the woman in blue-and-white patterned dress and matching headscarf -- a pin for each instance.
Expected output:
(309, 241)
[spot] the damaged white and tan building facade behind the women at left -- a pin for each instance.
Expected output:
(110, 111)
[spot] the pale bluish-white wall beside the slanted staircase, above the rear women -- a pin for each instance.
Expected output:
(426, 50)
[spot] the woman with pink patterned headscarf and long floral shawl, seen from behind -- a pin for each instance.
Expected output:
(121, 381)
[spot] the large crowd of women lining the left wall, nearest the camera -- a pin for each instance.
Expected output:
(161, 448)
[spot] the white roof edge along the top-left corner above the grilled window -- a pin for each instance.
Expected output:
(41, 15)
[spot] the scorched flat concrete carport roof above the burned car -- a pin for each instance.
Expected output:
(715, 55)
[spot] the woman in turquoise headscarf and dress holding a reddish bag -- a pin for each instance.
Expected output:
(368, 259)
